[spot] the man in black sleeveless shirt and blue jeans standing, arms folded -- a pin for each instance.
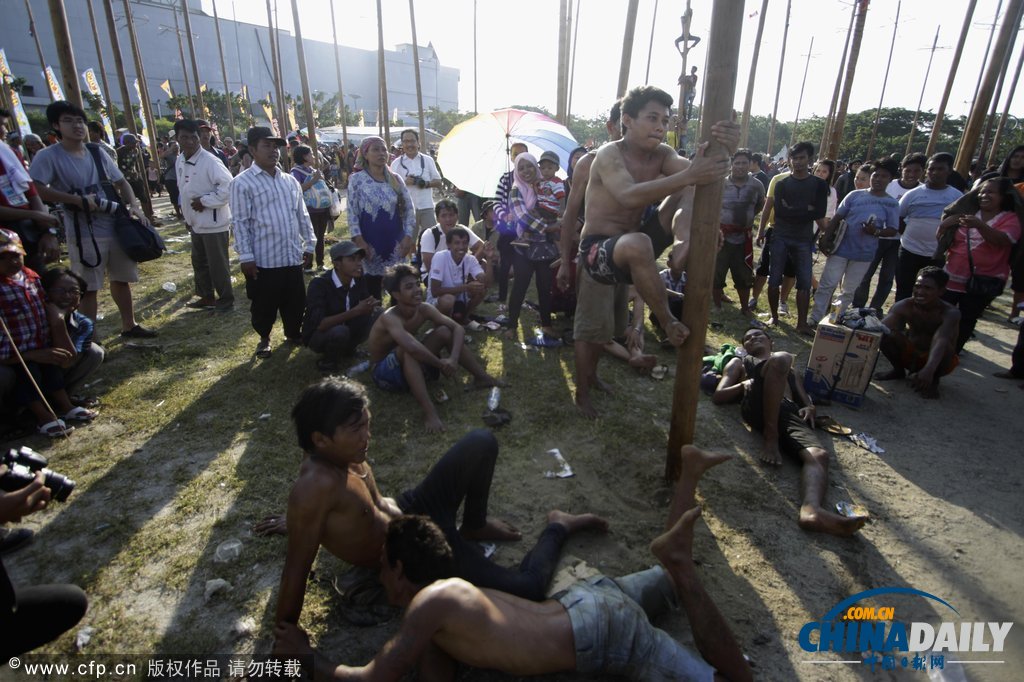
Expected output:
(800, 200)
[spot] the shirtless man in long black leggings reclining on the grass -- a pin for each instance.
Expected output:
(336, 503)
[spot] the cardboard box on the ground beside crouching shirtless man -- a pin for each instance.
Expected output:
(841, 364)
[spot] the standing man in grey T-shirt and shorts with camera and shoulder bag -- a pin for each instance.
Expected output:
(69, 174)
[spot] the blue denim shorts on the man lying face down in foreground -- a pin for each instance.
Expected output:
(614, 634)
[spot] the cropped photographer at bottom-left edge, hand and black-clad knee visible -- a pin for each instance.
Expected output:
(33, 616)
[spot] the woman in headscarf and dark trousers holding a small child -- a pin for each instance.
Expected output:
(535, 248)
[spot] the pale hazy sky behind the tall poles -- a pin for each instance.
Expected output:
(518, 49)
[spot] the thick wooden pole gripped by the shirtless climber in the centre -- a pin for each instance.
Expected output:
(723, 57)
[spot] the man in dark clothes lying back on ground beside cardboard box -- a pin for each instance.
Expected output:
(759, 383)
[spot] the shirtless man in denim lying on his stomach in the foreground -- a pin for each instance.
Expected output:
(596, 627)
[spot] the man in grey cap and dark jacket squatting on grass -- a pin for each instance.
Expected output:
(339, 308)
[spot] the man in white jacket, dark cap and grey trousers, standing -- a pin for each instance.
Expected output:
(204, 187)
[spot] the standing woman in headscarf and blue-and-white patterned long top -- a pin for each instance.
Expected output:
(381, 215)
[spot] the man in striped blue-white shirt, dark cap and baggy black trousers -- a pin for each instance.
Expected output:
(274, 238)
